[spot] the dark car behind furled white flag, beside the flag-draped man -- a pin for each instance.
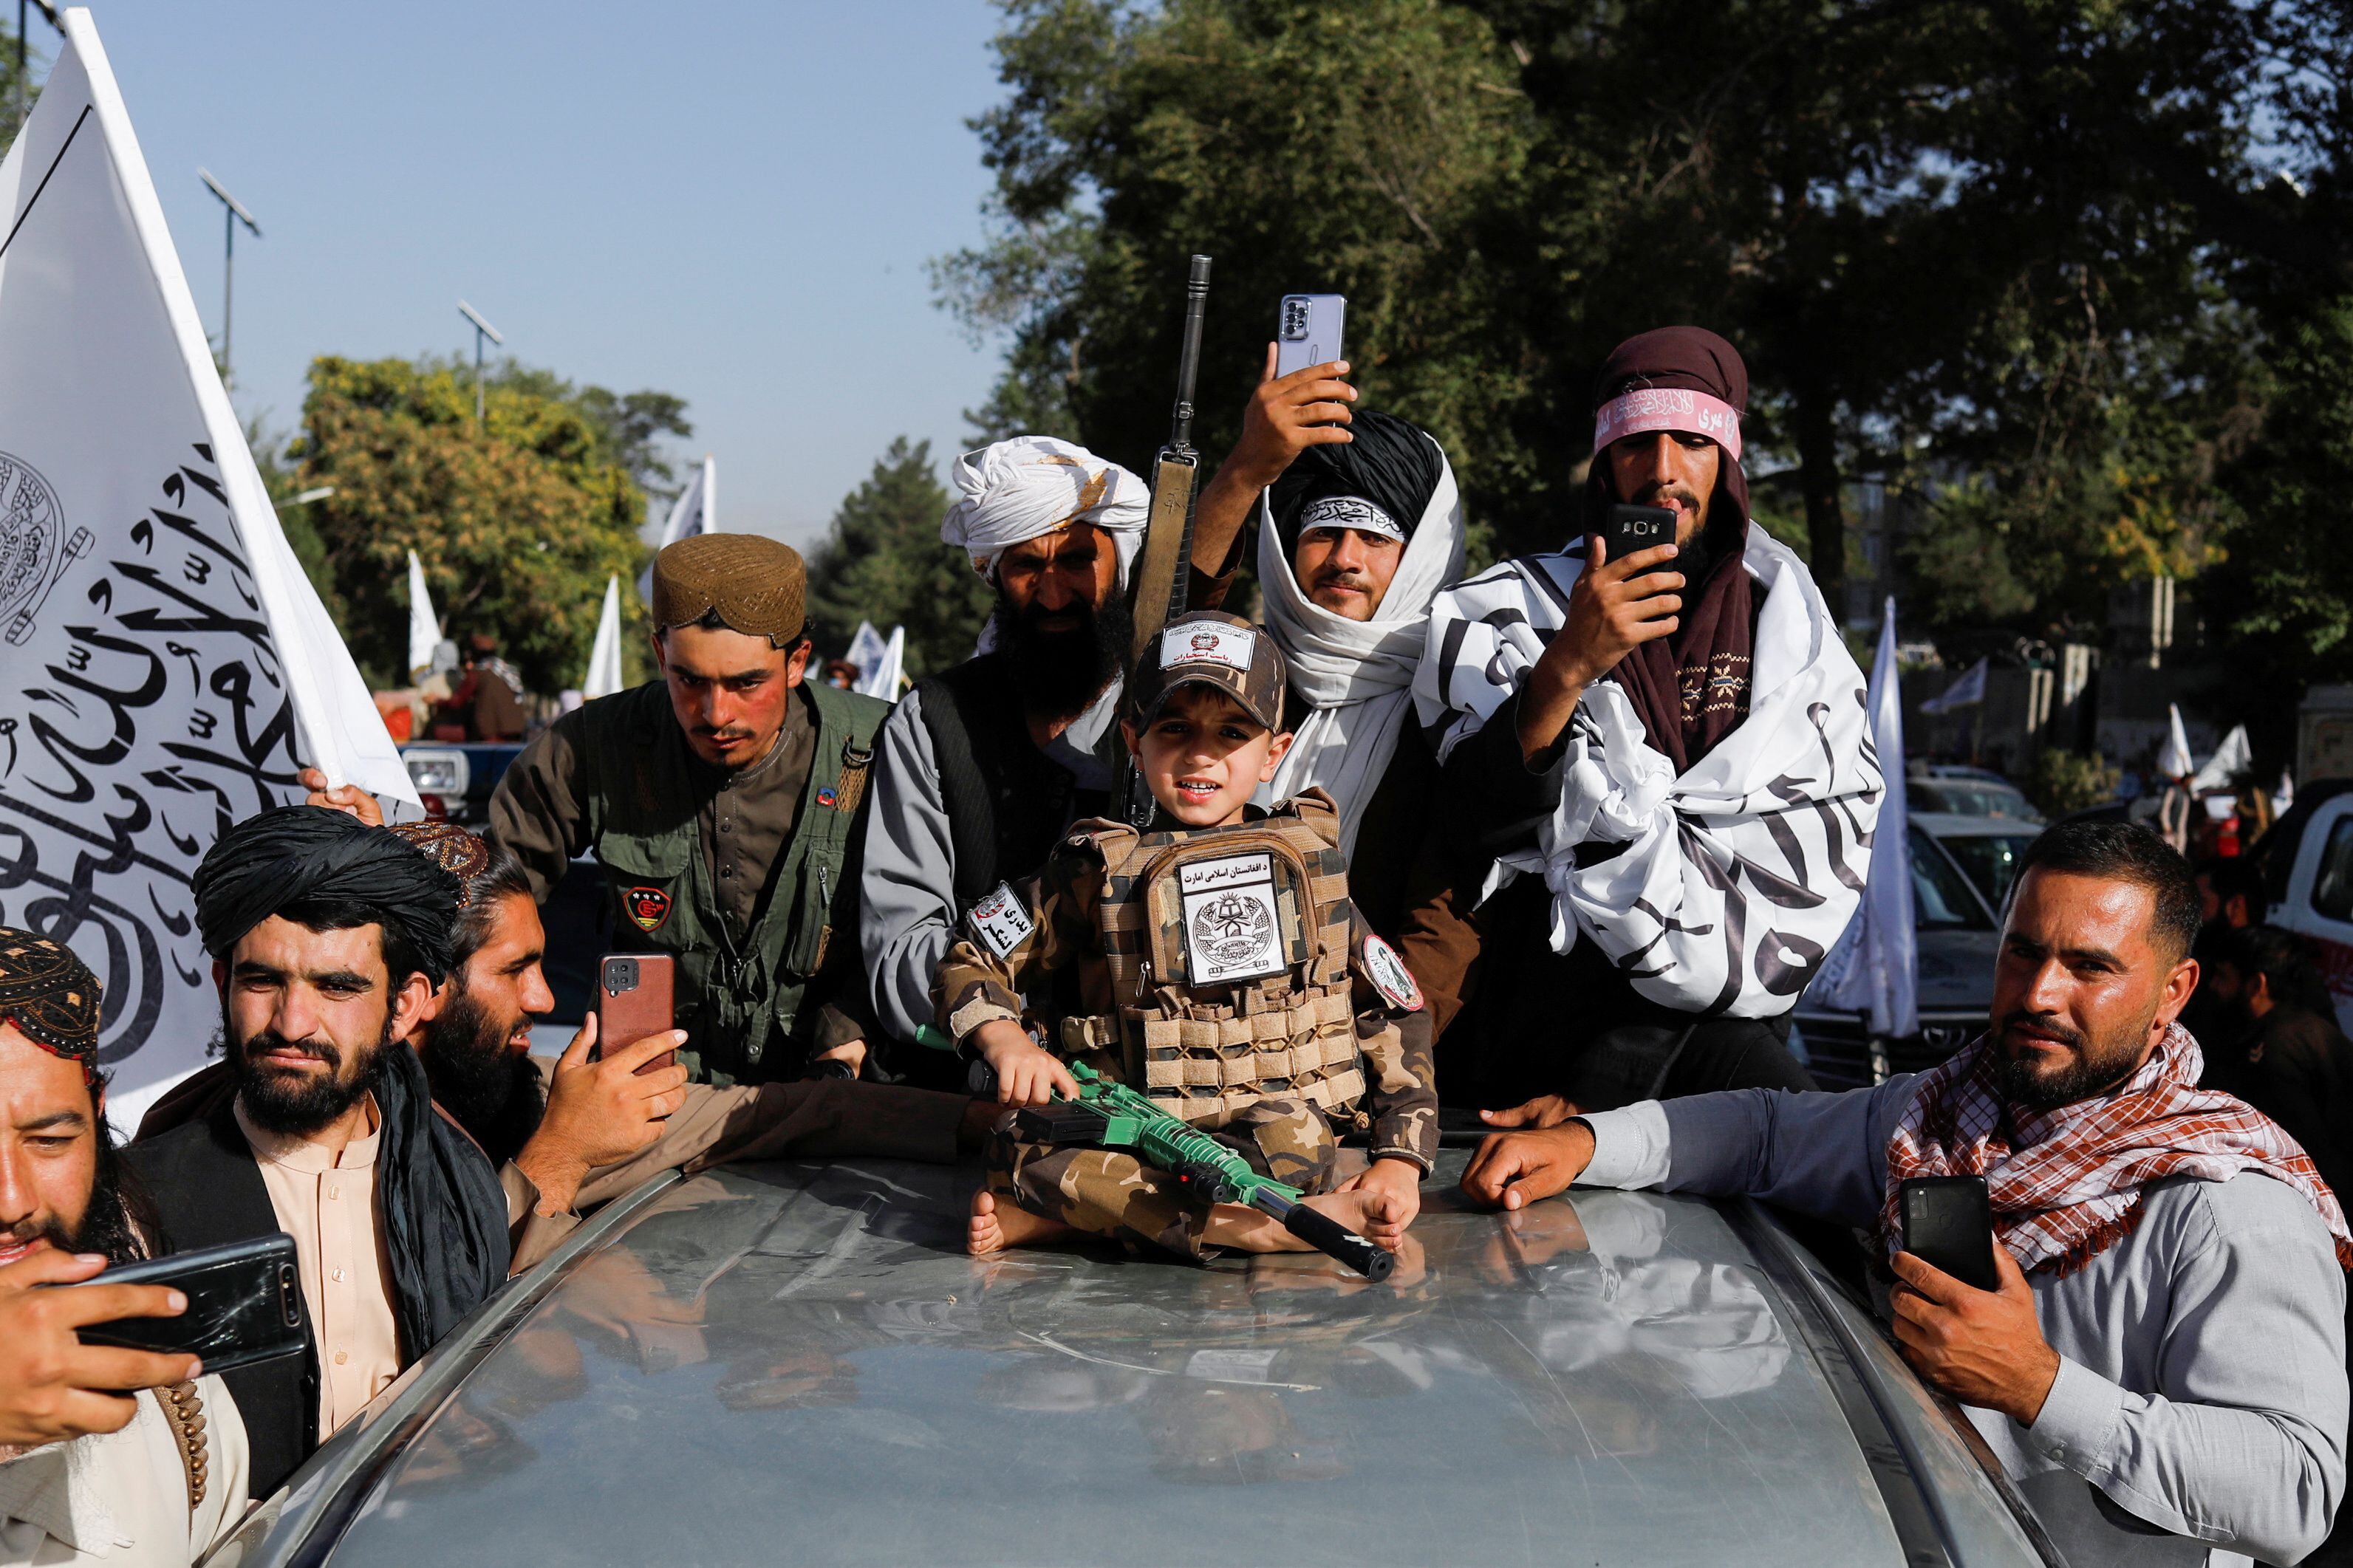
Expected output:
(1957, 934)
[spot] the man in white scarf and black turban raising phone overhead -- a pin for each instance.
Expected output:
(1359, 528)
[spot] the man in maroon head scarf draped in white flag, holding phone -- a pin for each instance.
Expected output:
(1667, 753)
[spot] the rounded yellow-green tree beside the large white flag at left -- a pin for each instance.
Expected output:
(519, 518)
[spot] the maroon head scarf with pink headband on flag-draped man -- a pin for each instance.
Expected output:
(1691, 688)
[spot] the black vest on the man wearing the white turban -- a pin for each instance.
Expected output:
(1008, 803)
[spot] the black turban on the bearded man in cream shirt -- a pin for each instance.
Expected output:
(309, 855)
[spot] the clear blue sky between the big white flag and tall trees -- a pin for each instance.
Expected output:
(724, 201)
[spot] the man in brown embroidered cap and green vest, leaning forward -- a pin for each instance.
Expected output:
(724, 805)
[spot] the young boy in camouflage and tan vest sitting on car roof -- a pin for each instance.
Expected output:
(1213, 963)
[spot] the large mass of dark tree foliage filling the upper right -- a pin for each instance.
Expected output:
(1994, 253)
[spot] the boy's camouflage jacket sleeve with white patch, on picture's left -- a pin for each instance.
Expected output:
(1018, 937)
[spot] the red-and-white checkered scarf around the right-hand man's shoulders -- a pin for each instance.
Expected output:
(2069, 1184)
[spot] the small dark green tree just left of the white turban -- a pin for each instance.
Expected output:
(884, 563)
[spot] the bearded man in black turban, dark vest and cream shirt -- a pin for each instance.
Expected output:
(328, 942)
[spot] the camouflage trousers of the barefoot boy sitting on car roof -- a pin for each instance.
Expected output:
(1112, 1193)
